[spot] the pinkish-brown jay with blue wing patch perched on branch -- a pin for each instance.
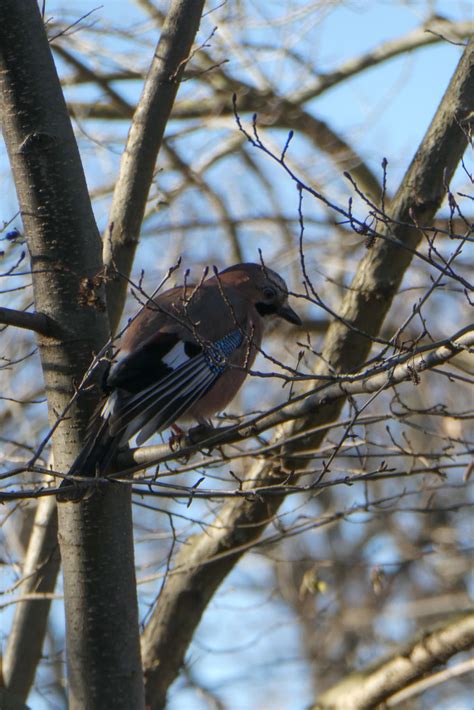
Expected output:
(184, 357)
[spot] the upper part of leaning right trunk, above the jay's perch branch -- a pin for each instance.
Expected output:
(417, 200)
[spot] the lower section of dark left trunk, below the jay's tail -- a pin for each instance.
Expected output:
(104, 668)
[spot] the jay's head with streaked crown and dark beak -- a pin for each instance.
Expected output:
(264, 288)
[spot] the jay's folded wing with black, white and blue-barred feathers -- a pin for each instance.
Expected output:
(156, 384)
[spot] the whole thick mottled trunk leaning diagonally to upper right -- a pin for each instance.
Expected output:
(205, 561)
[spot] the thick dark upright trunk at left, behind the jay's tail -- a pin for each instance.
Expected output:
(65, 251)
